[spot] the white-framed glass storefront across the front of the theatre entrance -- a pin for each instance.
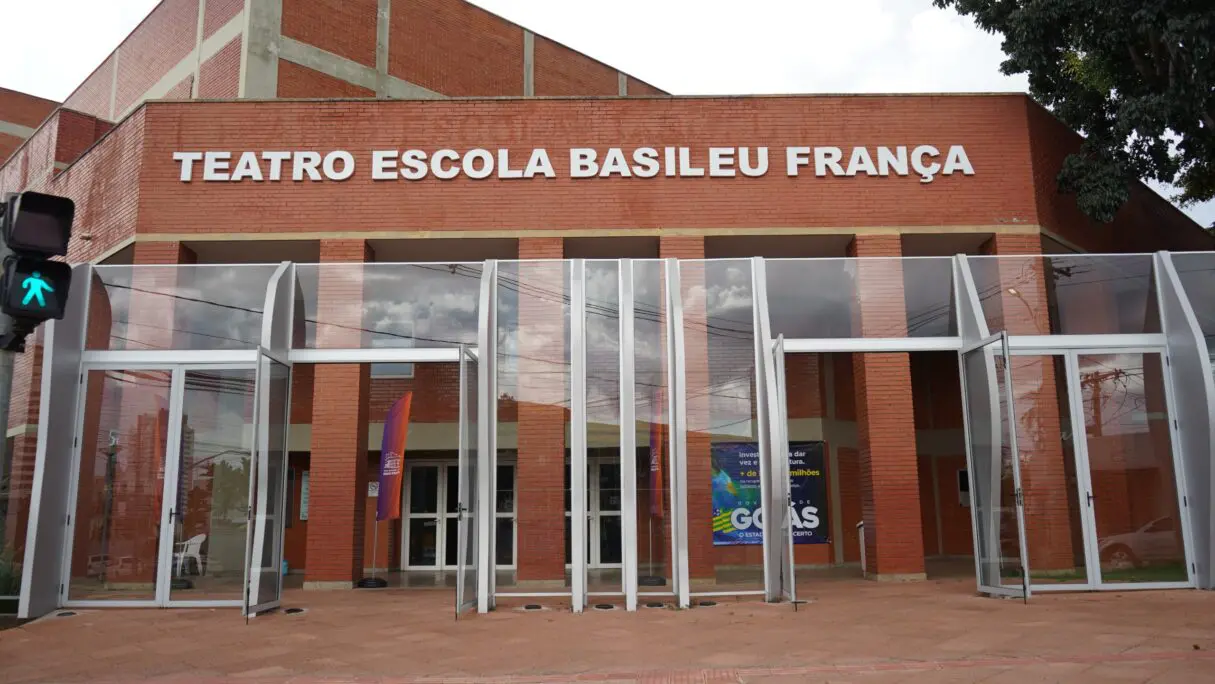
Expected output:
(629, 442)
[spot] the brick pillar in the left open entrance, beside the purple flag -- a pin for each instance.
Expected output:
(338, 465)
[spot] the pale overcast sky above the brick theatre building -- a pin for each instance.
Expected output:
(683, 47)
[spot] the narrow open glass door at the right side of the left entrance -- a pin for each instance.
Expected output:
(467, 564)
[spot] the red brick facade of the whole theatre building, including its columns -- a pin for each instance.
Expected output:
(133, 207)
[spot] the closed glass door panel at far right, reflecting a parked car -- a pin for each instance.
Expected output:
(1131, 468)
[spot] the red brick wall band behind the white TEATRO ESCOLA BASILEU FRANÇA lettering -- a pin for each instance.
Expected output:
(1001, 191)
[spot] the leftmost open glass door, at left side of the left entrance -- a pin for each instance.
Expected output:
(268, 483)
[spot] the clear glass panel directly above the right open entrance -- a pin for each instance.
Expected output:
(822, 298)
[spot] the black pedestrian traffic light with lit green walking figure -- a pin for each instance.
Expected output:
(33, 289)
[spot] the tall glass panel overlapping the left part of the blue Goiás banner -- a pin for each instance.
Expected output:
(725, 502)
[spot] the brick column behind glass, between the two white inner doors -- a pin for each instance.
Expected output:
(542, 381)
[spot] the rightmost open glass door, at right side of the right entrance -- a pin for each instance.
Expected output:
(998, 519)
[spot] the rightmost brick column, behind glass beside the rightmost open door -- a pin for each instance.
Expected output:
(1022, 308)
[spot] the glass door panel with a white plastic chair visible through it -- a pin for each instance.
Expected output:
(212, 508)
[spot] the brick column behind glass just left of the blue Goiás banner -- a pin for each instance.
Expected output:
(698, 381)
